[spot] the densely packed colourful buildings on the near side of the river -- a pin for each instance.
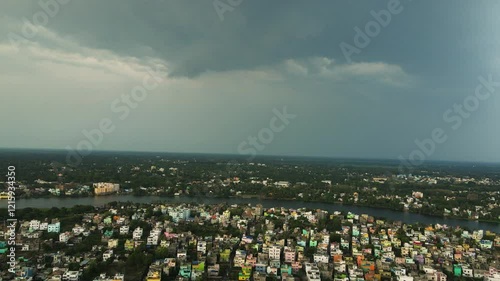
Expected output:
(128, 241)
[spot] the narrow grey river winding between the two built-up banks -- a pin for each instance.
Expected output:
(376, 212)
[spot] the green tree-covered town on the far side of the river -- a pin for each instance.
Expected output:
(462, 191)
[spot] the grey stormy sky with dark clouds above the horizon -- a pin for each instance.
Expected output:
(229, 68)
